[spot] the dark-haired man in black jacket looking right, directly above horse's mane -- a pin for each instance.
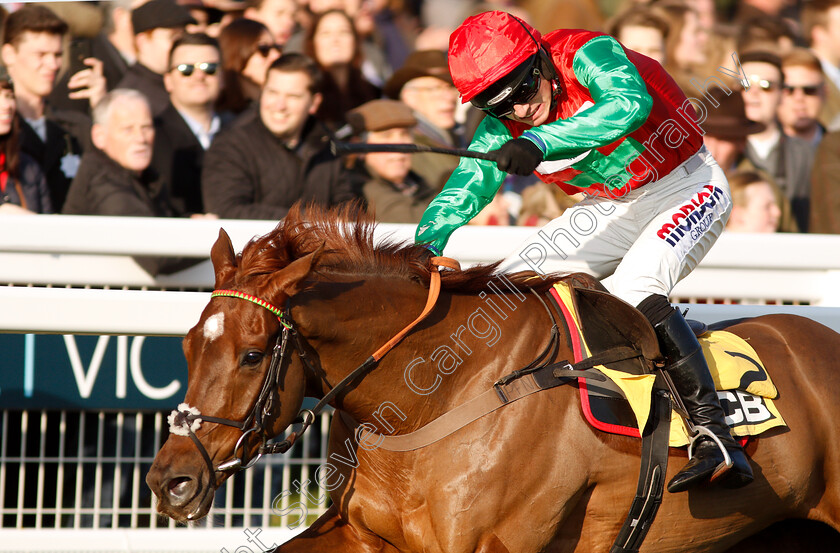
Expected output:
(261, 166)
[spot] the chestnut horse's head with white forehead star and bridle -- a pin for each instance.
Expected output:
(244, 384)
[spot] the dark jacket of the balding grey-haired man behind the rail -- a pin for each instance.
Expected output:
(103, 187)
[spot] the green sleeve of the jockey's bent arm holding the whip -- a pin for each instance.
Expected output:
(622, 103)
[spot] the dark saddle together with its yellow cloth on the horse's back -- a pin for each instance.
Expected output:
(620, 403)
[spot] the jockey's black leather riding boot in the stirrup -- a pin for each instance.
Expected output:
(690, 374)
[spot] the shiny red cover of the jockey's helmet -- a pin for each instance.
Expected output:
(487, 47)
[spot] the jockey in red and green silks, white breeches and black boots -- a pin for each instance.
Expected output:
(593, 117)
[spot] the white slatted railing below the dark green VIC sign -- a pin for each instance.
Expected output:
(97, 482)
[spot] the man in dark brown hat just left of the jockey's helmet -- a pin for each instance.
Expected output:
(425, 85)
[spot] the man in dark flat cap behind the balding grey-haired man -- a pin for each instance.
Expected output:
(157, 24)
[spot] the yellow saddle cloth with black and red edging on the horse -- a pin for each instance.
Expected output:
(621, 404)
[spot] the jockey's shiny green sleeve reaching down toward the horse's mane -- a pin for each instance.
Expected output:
(470, 188)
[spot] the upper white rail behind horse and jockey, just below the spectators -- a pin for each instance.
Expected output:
(60, 250)
